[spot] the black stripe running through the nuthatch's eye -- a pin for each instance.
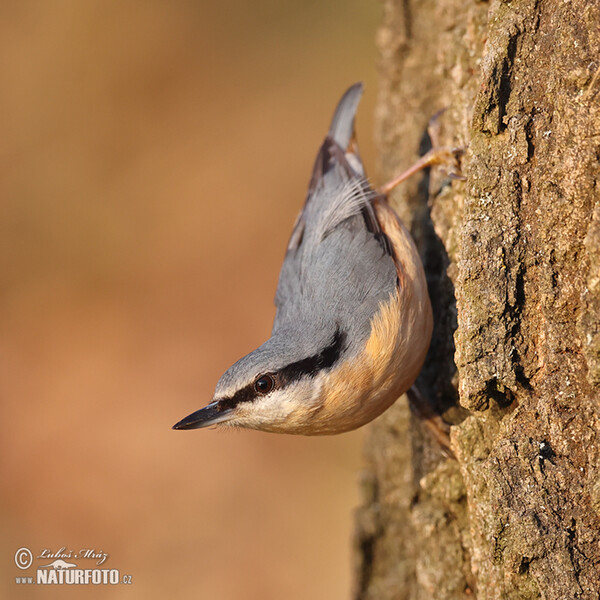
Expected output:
(310, 366)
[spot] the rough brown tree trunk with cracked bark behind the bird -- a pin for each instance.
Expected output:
(513, 259)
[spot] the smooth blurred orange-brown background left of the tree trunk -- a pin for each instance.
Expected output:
(153, 158)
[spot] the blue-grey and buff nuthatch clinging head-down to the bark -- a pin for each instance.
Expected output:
(353, 321)
